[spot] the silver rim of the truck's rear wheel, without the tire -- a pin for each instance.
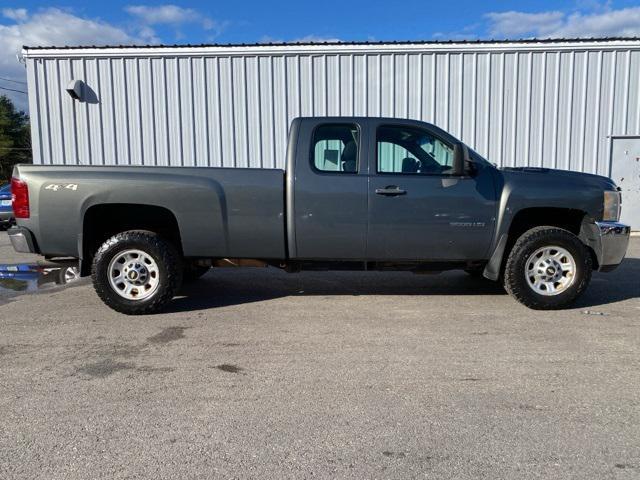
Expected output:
(134, 274)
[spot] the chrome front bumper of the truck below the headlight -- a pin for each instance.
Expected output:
(610, 241)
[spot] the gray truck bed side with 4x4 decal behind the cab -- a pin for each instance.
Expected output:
(221, 212)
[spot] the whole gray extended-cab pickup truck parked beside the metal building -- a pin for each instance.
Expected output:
(357, 193)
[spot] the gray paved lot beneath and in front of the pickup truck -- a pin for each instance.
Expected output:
(258, 374)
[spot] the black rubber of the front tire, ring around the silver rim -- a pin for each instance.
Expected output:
(515, 279)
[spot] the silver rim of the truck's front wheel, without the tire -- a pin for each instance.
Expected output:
(550, 270)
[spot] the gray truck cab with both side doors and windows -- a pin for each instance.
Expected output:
(387, 190)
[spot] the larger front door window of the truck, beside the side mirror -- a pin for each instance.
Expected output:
(412, 151)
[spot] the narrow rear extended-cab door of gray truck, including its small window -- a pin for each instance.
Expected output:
(327, 190)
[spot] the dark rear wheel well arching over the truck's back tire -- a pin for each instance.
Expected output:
(103, 221)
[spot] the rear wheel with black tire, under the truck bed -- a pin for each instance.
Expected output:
(136, 272)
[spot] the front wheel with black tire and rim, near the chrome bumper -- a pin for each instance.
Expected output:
(548, 268)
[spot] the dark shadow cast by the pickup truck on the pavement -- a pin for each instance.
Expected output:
(226, 287)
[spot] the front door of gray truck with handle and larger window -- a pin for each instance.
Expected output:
(418, 210)
